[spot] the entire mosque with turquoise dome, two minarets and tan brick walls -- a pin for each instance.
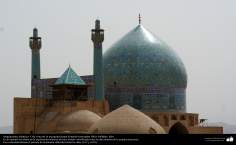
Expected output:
(138, 87)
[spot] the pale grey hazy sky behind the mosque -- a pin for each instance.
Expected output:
(202, 32)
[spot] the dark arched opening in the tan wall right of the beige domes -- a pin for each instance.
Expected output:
(178, 128)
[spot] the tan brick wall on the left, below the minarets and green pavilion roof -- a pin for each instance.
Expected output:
(40, 115)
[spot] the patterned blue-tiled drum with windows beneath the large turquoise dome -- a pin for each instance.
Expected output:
(150, 99)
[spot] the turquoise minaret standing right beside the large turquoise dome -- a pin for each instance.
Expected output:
(97, 38)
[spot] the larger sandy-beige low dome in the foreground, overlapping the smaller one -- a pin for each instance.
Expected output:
(126, 120)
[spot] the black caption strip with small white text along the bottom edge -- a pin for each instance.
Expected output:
(119, 139)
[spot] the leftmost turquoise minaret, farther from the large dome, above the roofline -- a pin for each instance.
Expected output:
(35, 45)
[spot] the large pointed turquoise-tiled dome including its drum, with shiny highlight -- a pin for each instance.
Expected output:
(140, 61)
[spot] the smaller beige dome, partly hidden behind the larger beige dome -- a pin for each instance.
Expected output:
(77, 122)
